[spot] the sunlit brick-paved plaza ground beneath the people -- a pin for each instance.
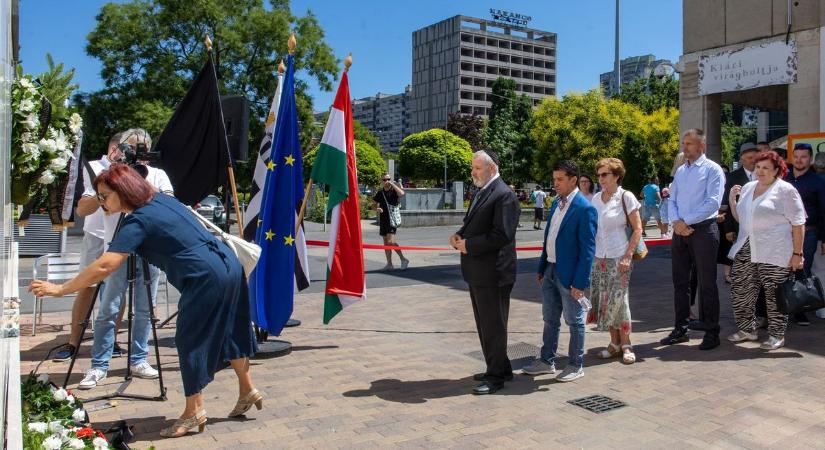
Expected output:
(396, 371)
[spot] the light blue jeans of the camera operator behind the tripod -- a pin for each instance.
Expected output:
(113, 293)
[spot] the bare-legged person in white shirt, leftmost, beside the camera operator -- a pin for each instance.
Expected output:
(93, 238)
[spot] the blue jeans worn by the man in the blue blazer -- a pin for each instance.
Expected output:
(556, 300)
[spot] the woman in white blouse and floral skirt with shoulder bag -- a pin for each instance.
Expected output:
(614, 255)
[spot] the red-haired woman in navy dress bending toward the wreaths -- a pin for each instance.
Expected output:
(213, 324)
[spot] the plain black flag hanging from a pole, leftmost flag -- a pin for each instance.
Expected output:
(193, 146)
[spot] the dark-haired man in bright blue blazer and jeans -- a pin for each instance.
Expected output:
(564, 272)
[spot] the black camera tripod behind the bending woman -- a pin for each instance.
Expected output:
(131, 276)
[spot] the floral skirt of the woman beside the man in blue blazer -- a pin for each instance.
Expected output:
(609, 295)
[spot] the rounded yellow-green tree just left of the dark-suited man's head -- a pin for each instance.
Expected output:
(421, 156)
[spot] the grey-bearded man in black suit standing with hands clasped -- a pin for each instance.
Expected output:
(488, 264)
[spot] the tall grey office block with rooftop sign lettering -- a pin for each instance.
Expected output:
(456, 61)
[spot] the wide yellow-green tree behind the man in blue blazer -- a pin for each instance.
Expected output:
(587, 127)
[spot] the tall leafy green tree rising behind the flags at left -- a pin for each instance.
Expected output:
(152, 49)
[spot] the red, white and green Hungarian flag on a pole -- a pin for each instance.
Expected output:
(335, 167)
